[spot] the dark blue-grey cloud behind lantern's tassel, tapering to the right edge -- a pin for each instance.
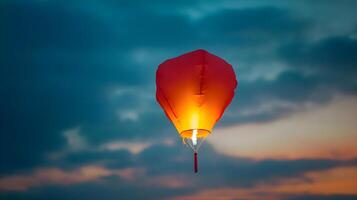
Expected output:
(217, 169)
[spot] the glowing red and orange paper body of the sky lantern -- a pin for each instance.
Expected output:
(194, 89)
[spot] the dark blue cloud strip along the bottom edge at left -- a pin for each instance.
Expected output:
(109, 191)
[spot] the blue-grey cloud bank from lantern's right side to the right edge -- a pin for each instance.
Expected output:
(317, 73)
